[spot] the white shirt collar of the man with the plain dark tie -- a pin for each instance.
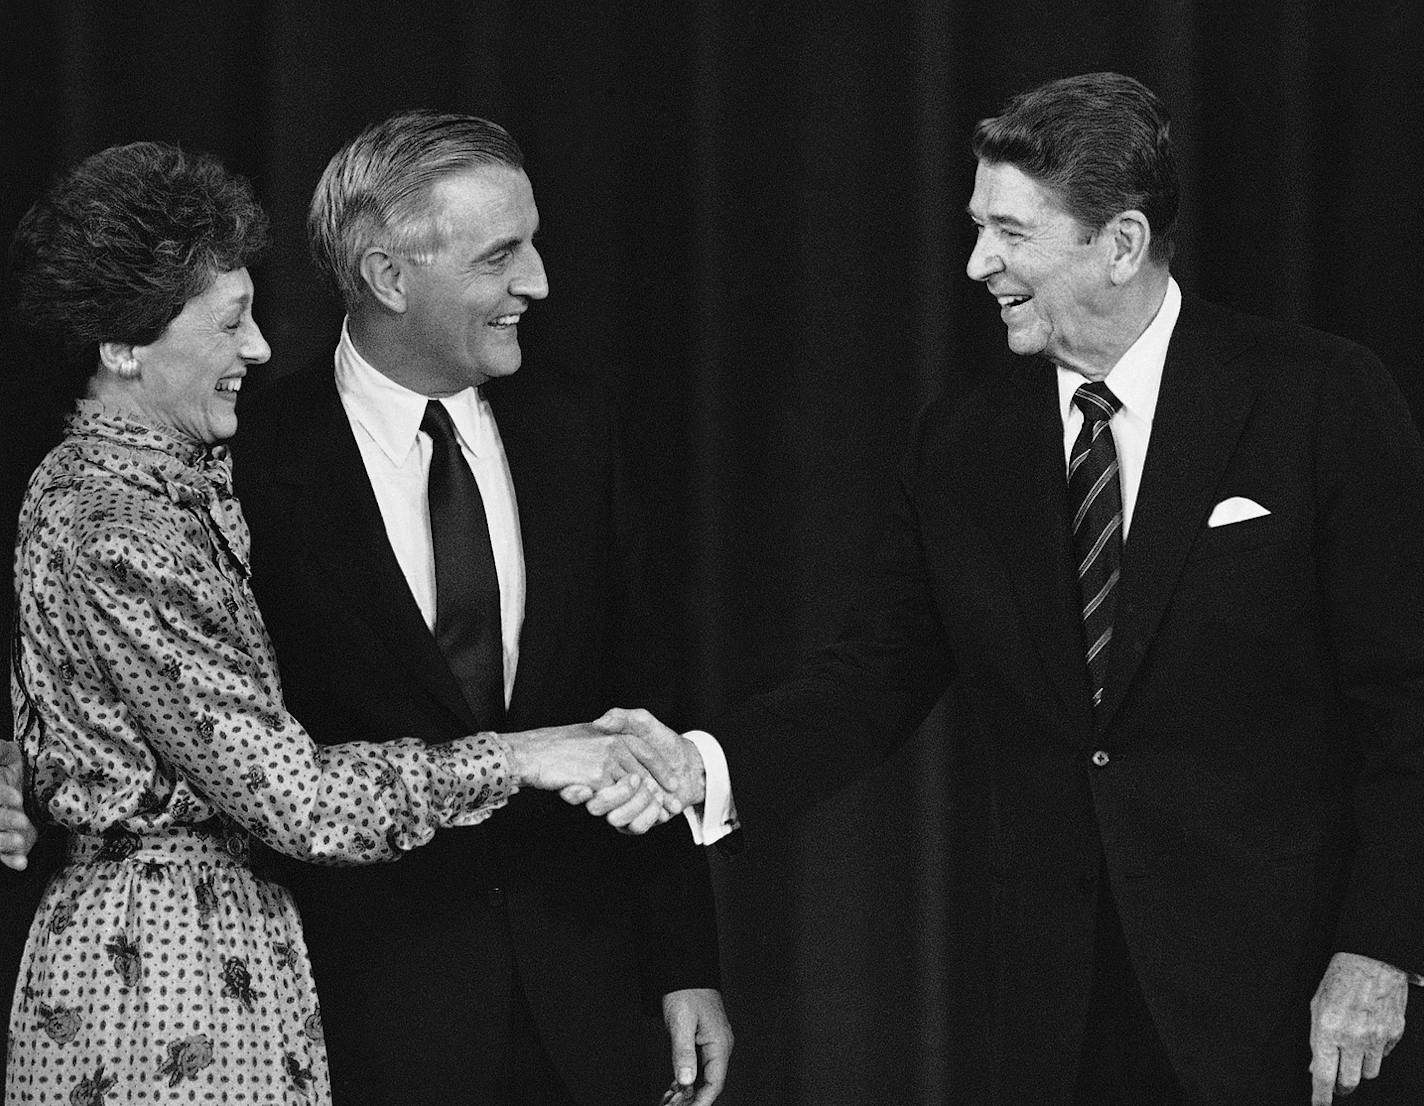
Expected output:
(392, 414)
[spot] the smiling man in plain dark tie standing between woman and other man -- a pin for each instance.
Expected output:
(508, 963)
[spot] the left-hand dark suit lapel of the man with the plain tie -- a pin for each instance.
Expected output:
(348, 540)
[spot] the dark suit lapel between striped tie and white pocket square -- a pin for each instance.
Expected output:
(1201, 412)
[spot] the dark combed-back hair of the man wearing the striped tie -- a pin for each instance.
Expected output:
(1100, 142)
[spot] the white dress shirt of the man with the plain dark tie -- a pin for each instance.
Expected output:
(387, 418)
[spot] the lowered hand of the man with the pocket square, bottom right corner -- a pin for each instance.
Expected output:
(1356, 1018)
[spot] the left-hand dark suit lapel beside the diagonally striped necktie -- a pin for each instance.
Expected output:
(1026, 499)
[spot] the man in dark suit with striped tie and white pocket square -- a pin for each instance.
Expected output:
(1170, 570)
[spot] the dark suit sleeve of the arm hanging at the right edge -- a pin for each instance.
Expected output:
(1372, 573)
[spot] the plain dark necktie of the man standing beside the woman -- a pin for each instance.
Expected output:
(468, 587)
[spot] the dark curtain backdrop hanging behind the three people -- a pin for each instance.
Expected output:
(755, 238)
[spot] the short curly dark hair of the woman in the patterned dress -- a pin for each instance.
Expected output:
(119, 246)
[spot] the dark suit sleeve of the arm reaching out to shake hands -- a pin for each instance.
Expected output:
(857, 701)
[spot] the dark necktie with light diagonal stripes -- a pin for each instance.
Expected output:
(1096, 499)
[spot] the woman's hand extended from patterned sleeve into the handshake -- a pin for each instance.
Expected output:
(585, 757)
